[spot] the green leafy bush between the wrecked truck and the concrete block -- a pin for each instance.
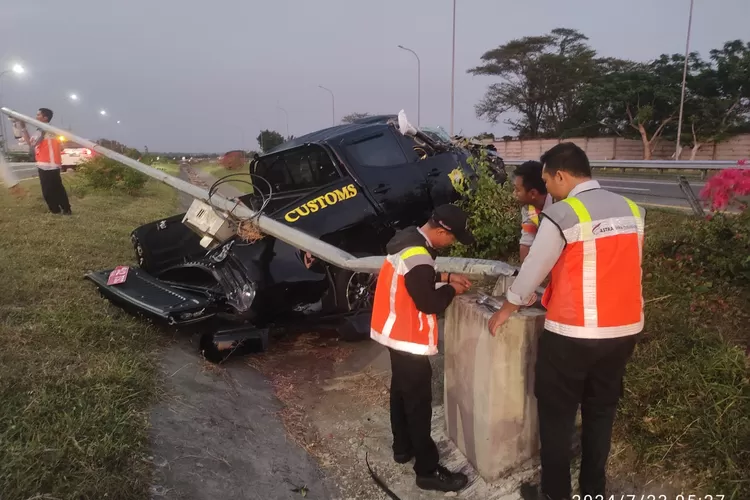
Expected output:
(494, 215)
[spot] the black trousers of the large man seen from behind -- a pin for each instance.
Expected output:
(572, 372)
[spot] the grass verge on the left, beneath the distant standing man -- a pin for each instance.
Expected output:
(77, 376)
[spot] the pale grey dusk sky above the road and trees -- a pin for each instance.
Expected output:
(207, 76)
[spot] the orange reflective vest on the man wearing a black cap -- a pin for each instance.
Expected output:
(396, 321)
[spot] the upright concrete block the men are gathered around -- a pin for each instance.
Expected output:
(490, 408)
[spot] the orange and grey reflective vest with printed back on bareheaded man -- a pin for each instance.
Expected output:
(595, 288)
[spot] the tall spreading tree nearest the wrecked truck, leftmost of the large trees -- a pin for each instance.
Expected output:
(542, 80)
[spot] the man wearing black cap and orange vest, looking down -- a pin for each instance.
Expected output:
(408, 297)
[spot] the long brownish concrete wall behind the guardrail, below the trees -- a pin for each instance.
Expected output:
(617, 148)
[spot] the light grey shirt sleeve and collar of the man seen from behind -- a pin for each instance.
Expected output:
(543, 255)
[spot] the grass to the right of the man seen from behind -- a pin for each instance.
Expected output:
(687, 403)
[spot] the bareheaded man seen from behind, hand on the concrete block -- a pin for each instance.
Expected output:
(591, 241)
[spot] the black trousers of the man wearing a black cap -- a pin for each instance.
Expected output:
(411, 410)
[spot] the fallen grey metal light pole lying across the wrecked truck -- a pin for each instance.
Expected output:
(294, 237)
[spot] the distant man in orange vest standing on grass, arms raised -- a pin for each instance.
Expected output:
(49, 162)
